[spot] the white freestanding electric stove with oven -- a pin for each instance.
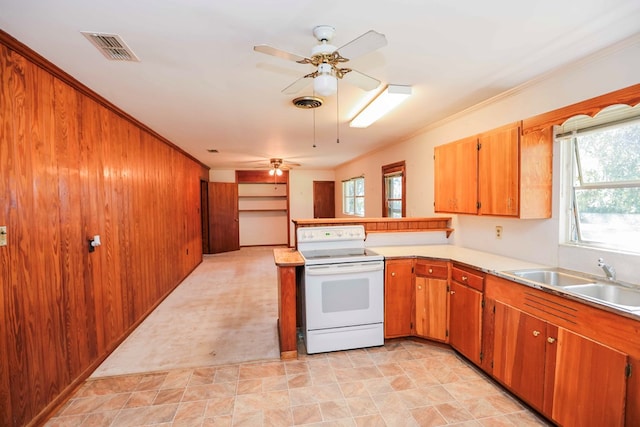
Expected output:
(342, 291)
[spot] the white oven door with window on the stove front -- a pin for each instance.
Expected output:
(342, 295)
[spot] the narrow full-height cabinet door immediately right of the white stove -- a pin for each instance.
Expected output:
(398, 288)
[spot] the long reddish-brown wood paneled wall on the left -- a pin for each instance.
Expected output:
(72, 167)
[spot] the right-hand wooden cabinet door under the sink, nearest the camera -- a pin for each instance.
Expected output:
(588, 376)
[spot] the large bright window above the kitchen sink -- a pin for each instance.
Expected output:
(604, 191)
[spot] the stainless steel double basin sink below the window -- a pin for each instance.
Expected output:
(615, 294)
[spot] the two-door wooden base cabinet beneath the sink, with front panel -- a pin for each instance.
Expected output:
(572, 379)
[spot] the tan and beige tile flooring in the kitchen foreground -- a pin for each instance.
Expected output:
(404, 383)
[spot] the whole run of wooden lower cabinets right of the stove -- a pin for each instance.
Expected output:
(555, 354)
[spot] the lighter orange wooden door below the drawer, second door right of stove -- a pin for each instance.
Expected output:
(431, 308)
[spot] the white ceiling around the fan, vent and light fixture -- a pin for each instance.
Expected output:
(200, 84)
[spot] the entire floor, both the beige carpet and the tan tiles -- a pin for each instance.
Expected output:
(221, 367)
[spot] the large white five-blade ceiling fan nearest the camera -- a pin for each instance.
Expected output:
(328, 61)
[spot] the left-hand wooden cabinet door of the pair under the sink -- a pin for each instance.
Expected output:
(519, 353)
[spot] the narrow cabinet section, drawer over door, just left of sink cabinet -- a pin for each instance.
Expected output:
(465, 318)
